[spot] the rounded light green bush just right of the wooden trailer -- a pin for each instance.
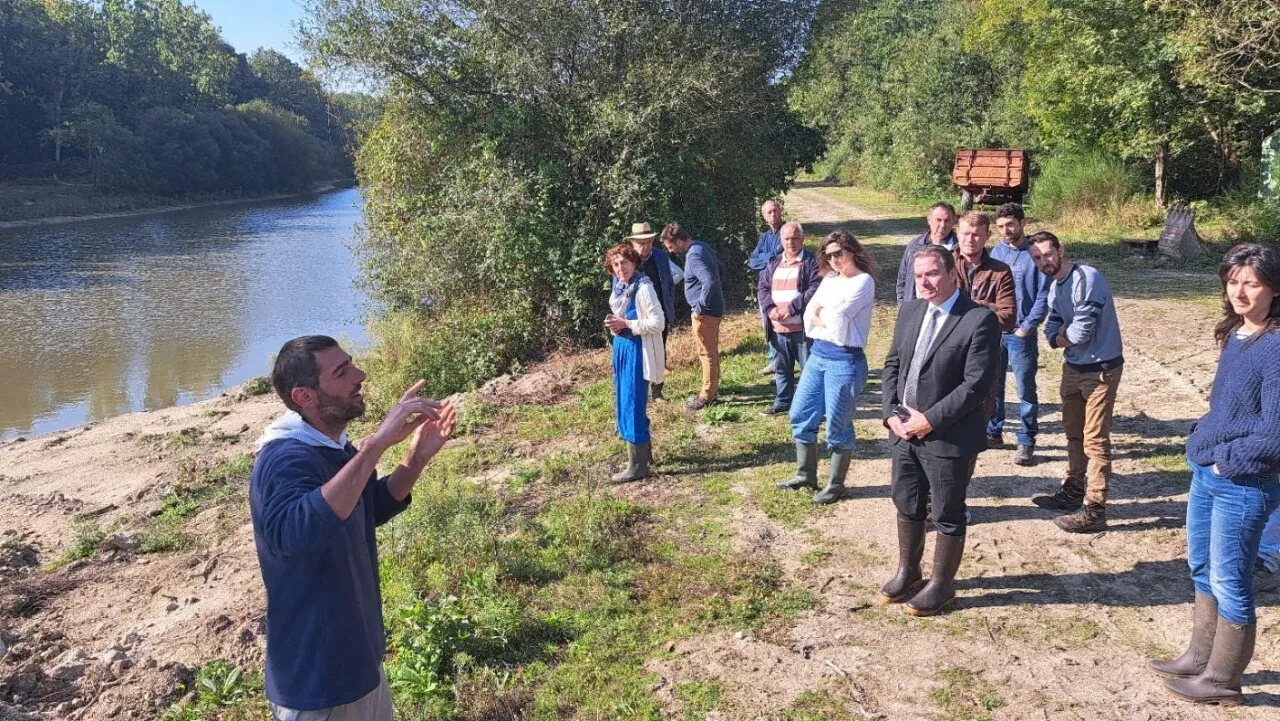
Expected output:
(1084, 181)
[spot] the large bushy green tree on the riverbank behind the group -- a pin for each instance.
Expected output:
(523, 139)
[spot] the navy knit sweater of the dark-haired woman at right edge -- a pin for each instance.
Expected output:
(1241, 432)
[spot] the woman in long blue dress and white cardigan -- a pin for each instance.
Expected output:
(637, 322)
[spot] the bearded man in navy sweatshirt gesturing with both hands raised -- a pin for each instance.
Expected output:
(316, 501)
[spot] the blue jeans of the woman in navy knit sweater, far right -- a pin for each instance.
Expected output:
(1224, 526)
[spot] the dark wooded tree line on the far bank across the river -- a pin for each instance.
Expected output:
(147, 97)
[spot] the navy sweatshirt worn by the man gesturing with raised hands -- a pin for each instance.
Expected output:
(324, 614)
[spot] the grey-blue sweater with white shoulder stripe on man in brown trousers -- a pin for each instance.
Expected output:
(1082, 304)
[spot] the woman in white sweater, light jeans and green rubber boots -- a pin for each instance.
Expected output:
(839, 321)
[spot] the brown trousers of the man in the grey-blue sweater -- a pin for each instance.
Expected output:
(1089, 403)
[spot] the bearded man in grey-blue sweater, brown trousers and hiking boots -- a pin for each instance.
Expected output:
(1082, 321)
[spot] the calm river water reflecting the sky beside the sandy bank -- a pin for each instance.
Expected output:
(102, 318)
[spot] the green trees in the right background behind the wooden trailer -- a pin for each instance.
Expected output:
(1185, 92)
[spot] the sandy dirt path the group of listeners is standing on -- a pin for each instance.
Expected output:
(1049, 626)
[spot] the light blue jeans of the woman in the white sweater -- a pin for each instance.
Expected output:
(829, 387)
